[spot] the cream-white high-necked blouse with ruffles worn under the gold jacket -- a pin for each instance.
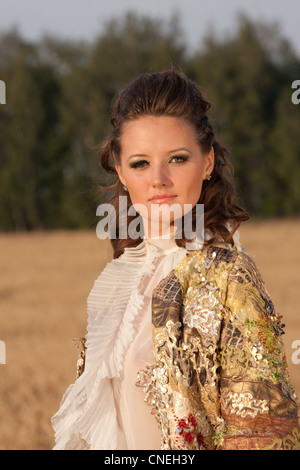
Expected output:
(104, 409)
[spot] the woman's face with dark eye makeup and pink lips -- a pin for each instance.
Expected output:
(162, 163)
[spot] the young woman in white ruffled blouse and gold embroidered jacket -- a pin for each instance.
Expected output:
(184, 347)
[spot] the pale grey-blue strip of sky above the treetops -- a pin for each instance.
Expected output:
(77, 19)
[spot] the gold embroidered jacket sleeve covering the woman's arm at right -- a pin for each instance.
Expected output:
(258, 404)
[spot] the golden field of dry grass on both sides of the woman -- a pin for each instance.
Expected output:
(45, 281)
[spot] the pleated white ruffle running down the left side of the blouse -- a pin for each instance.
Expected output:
(87, 414)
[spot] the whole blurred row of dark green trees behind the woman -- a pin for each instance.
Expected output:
(58, 100)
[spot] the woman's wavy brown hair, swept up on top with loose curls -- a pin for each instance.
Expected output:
(172, 94)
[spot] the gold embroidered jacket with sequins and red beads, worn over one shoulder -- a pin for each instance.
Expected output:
(220, 378)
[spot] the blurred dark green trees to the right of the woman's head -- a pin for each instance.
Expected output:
(248, 79)
